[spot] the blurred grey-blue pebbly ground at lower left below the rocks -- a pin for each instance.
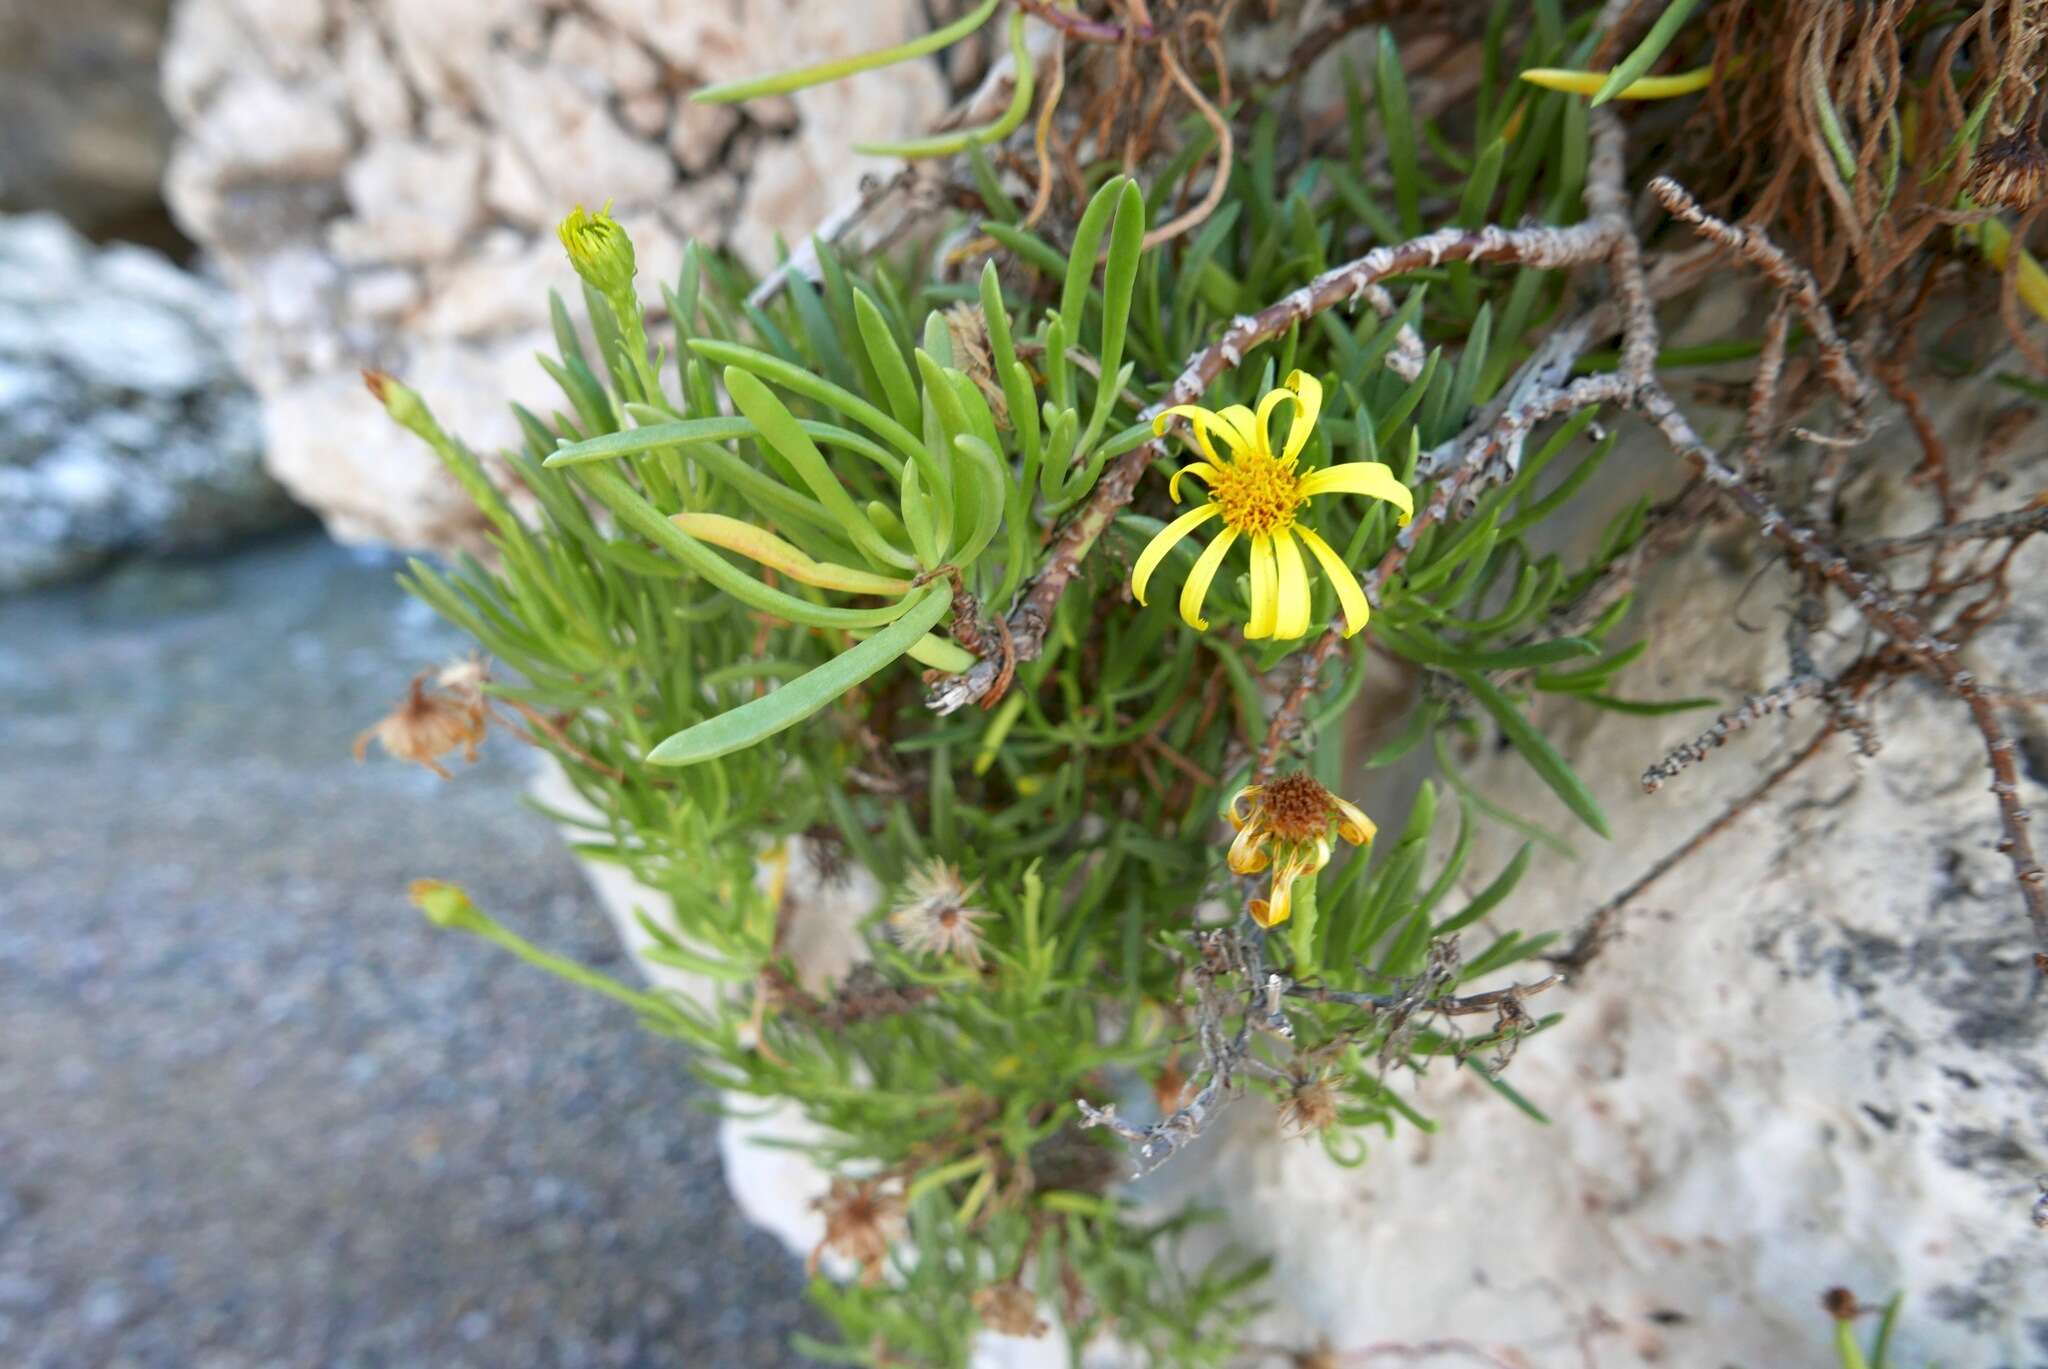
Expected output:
(253, 1108)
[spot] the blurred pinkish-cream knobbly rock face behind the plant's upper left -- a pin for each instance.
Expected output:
(382, 183)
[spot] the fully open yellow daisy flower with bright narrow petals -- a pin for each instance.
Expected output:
(1258, 495)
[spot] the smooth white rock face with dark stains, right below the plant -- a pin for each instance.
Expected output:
(1818, 1054)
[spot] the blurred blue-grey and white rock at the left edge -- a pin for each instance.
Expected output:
(124, 425)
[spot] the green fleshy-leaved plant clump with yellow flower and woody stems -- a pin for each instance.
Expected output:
(857, 558)
